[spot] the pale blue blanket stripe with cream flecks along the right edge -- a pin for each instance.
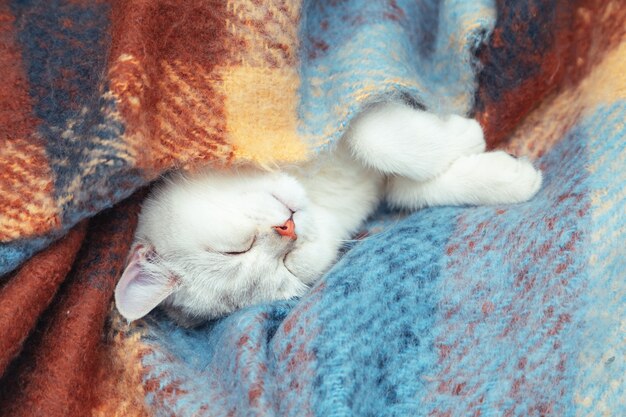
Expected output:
(599, 385)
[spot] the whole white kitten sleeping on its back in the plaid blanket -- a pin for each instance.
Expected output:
(210, 243)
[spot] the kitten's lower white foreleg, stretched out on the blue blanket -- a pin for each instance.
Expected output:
(486, 178)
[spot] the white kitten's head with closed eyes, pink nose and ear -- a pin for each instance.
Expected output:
(219, 242)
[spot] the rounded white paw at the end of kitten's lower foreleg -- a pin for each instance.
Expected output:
(498, 177)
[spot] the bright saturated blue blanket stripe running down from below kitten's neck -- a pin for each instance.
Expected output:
(375, 342)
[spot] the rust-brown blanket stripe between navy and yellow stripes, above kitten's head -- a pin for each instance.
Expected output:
(161, 73)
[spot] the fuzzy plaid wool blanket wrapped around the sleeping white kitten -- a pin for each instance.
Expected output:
(457, 311)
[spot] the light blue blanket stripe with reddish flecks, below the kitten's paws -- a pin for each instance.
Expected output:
(510, 288)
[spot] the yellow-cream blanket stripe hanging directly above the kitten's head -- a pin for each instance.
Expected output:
(260, 82)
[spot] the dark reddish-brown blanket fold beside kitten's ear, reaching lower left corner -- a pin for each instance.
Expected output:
(56, 373)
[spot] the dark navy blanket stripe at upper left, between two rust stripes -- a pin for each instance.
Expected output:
(64, 47)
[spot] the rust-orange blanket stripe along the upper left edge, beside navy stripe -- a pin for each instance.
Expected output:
(27, 205)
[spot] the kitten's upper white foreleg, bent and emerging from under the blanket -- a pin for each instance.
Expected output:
(400, 140)
